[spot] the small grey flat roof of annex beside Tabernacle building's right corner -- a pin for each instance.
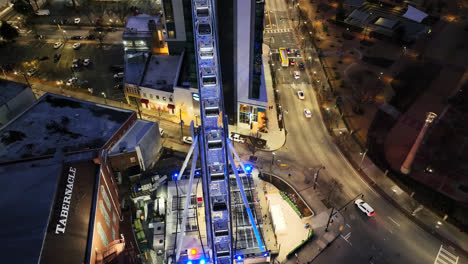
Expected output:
(130, 139)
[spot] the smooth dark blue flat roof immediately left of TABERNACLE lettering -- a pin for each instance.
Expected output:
(26, 203)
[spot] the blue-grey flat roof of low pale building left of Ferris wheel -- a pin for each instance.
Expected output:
(152, 71)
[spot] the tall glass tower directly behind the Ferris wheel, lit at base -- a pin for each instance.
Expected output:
(240, 51)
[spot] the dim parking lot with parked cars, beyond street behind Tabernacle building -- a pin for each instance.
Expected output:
(25, 54)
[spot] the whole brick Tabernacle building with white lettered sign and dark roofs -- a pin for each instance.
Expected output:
(61, 185)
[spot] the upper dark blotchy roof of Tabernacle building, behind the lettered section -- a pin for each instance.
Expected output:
(56, 120)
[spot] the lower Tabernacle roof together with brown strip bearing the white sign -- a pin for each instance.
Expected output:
(31, 229)
